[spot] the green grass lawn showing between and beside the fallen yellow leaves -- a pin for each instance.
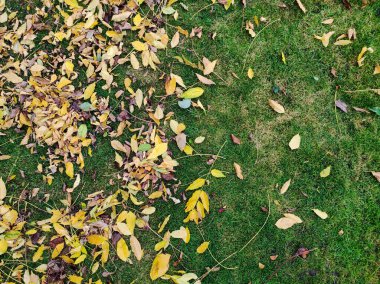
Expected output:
(348, 142)
